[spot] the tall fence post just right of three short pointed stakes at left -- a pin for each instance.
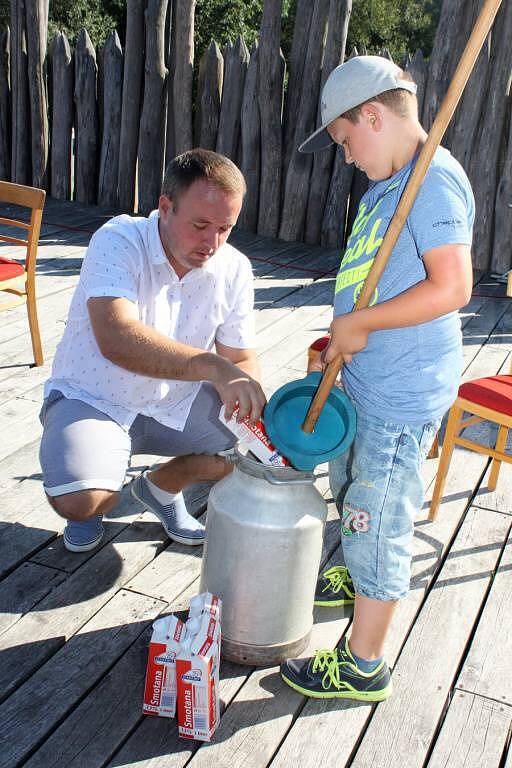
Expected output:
(131, 99)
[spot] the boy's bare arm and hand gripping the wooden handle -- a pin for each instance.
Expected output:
(446, 288)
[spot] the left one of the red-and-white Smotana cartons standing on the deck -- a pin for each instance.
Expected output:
(160, 687)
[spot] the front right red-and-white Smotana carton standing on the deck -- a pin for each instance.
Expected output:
(197, 677)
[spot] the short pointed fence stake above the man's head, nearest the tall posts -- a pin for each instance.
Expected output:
(209, 89)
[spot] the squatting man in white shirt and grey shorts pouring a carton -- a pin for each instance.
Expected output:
(135, 371)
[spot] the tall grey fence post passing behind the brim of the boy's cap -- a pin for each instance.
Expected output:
(334, 54)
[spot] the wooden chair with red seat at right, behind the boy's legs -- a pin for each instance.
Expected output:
(487, 399)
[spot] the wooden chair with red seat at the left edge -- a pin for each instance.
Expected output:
(17, 278)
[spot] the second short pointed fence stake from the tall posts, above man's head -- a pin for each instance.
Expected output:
(235, 70)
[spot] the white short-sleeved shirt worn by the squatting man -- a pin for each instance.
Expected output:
(125, 258)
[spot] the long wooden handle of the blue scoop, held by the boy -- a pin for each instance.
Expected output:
(460, 78)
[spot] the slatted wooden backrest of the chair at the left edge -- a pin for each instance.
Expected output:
(27, 197)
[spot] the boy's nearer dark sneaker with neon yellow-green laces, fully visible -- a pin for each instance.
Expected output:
(335, 674)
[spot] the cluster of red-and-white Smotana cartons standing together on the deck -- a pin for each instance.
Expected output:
(183, 669)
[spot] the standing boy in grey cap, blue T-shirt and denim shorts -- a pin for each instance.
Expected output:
(402, 360)
